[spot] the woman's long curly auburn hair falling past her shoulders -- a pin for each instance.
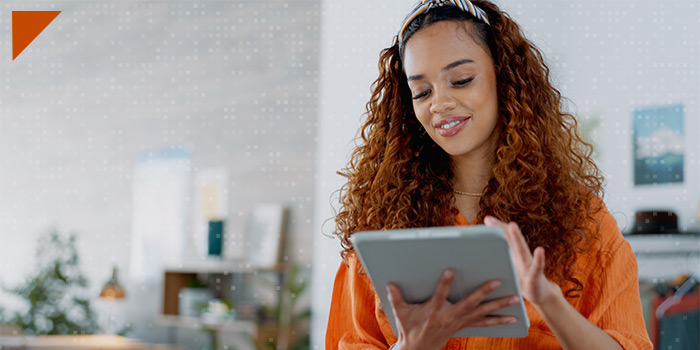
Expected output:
(543, 176)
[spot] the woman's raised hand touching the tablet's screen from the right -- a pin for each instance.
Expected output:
(534, 285)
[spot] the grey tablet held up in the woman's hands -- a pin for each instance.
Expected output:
(414, 259)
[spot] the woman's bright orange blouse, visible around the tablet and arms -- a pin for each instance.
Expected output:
(610, 300)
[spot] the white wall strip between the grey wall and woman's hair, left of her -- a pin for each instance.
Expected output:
(352, 35)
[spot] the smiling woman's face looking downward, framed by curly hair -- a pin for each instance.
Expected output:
(453, 85)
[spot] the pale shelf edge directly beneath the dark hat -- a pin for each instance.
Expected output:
(665, 244)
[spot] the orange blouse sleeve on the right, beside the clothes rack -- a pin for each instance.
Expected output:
(618, 309)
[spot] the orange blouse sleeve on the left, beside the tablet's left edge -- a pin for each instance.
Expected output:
(352, 323)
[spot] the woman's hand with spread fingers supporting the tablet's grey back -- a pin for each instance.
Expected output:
(431, 324)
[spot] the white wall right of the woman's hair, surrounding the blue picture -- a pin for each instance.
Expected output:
(610, 57)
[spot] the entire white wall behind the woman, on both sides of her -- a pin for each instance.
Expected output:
(608, 57)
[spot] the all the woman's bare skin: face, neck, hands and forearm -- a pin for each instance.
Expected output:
(438, 61)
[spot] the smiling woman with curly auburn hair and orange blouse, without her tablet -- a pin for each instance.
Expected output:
(464, 127)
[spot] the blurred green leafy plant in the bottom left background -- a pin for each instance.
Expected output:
(56, 295)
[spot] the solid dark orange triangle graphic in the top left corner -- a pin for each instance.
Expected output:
(26, 26)
